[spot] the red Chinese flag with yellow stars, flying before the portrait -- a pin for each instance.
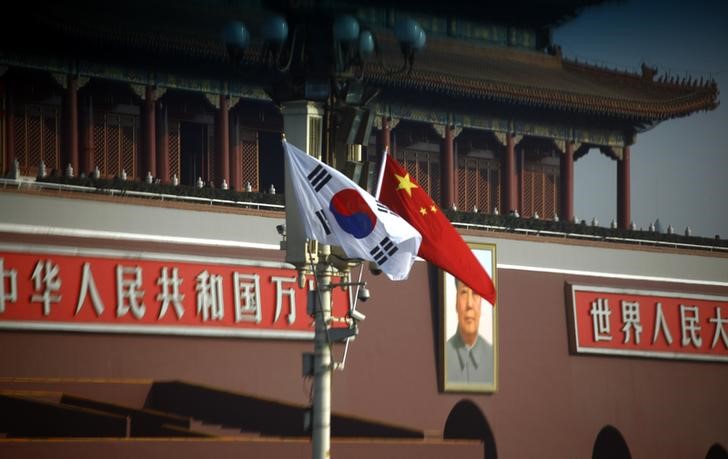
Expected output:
(441, 244)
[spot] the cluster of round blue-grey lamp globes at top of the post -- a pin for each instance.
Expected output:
(320, 48)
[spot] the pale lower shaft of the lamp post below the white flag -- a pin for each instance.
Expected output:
(322, 364)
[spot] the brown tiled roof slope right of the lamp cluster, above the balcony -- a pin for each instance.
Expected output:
(536, 79)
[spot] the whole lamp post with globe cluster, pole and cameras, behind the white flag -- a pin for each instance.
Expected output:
(323, 60)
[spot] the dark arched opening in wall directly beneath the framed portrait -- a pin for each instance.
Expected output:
(466, 421)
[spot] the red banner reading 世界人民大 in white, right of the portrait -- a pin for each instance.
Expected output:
(646, 323)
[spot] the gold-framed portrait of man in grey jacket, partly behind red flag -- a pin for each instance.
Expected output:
(450, 379)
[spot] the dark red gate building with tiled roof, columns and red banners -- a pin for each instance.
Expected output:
(160, 324)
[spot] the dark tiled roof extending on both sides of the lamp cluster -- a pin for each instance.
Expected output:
(458, 69)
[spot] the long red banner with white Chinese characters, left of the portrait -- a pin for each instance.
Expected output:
(118, 293)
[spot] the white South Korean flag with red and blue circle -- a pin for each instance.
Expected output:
(334, 210)
